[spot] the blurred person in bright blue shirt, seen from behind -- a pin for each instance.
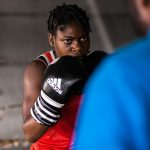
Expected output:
(115, 113)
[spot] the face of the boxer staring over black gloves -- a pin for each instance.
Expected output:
(72, 40)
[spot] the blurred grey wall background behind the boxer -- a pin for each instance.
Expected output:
(23, 36)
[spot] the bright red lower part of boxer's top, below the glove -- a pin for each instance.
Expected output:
(59, 136)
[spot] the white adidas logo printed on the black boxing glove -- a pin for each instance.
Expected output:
(55, 83)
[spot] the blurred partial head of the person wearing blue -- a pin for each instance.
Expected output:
(140, 10)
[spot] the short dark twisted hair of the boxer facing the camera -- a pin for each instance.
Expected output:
(64, 14)
